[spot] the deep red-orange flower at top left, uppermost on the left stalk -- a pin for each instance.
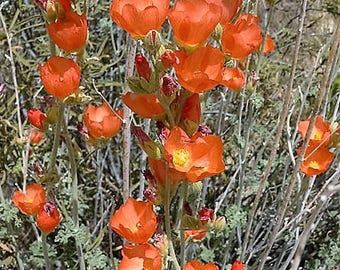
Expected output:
(69, 32)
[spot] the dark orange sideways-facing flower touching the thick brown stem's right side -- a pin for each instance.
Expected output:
(145, 105)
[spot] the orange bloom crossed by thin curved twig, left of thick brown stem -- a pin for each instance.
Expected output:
(101, 122)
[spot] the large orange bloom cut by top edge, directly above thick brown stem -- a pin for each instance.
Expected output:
(139, 17)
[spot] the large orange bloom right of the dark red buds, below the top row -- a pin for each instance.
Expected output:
(200, 70)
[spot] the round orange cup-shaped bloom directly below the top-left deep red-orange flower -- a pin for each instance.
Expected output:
(60, 76)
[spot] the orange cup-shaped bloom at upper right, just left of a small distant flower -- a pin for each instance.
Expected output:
(241, 38)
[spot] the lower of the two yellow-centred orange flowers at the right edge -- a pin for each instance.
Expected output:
(316, 161)
